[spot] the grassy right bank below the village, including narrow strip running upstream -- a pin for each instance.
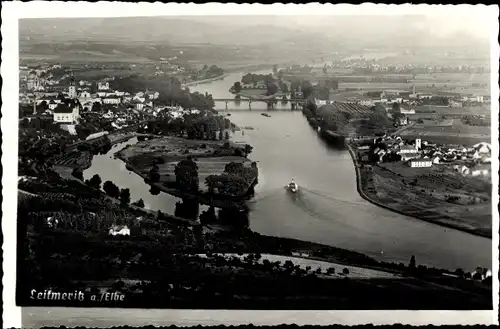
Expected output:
(382, 187)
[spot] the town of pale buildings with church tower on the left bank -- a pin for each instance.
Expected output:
(65, 99)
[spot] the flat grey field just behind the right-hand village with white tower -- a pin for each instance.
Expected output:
(452, 134)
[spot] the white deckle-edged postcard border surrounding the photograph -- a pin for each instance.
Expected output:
(12, 11)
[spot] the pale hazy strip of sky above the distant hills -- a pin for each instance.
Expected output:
(437, 25)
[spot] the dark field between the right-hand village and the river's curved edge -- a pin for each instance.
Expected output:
(436, 194)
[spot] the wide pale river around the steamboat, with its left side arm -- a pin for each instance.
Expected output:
(328, 208)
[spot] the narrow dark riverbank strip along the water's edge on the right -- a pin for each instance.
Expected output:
(402, 206)
